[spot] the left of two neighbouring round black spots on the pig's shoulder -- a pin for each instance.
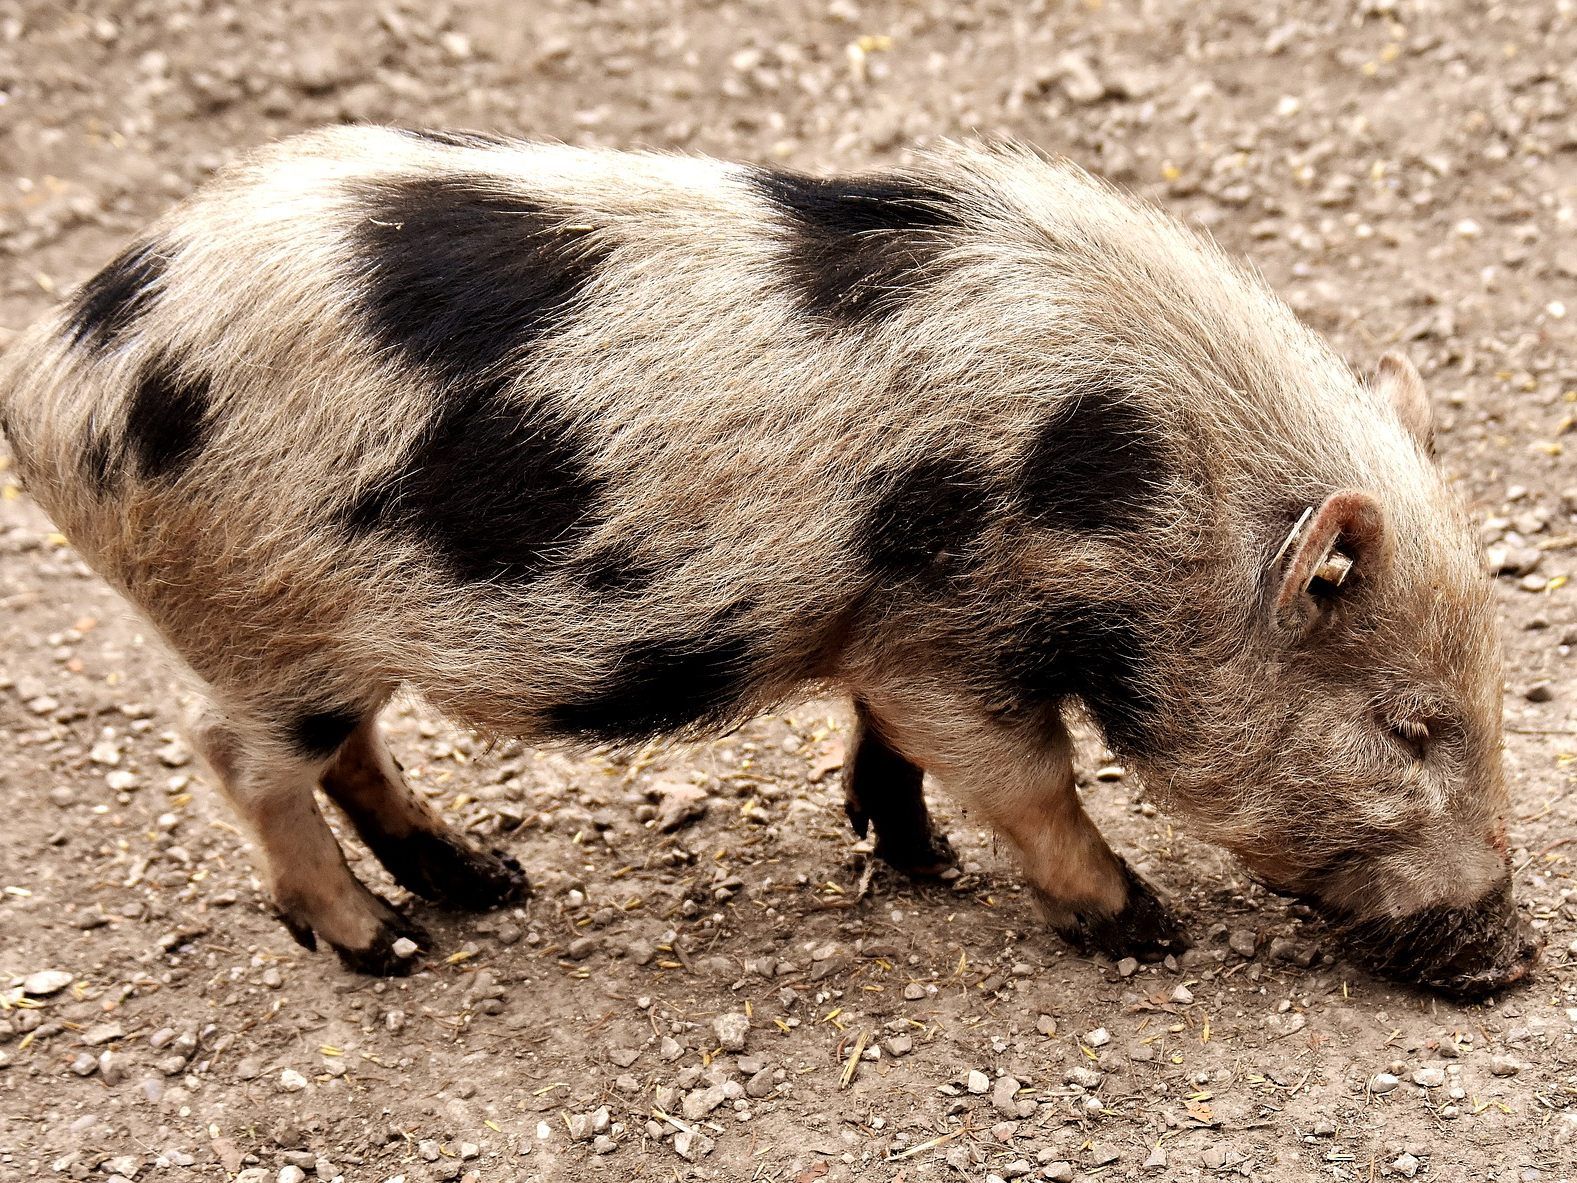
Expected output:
(926, 518)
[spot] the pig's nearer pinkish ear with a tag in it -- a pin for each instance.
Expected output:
(1332, 551)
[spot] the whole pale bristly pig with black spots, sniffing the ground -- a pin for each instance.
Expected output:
(600, 447)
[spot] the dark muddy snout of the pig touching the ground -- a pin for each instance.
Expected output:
(1466, 953)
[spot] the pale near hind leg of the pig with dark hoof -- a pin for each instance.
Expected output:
(270, 782)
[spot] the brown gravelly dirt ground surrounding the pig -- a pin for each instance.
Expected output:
(1404, 171)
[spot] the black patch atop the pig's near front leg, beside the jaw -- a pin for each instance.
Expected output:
(1095, 652)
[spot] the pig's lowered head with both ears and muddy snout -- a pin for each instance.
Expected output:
(1349, 752)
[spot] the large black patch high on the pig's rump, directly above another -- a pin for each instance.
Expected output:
(461, 275)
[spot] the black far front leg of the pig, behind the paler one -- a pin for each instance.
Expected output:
(885, 793)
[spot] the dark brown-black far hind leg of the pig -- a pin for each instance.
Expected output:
(408, 837)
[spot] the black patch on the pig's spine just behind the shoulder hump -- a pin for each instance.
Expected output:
(859, 245)
